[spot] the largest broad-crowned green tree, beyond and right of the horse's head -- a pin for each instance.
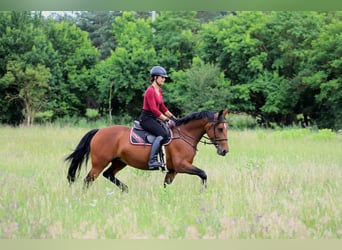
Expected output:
(255, 48)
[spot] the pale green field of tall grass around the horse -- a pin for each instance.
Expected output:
(272, 185)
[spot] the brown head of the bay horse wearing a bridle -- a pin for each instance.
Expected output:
(217, 132)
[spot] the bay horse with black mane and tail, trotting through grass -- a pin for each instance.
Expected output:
(112, 145)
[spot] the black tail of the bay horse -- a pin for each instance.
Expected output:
(80, 153)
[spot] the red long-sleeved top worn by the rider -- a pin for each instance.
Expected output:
(154, 102)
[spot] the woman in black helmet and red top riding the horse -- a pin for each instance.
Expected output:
(154, 112)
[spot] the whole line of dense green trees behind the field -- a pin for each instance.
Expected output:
(280, 67)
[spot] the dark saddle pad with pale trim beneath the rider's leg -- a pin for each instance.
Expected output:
(139, 136)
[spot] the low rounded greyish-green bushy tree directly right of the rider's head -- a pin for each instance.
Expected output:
(202, 87)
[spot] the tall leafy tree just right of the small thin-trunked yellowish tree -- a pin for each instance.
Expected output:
(73, 83)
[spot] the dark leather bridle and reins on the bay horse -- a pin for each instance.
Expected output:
(213, 141)
